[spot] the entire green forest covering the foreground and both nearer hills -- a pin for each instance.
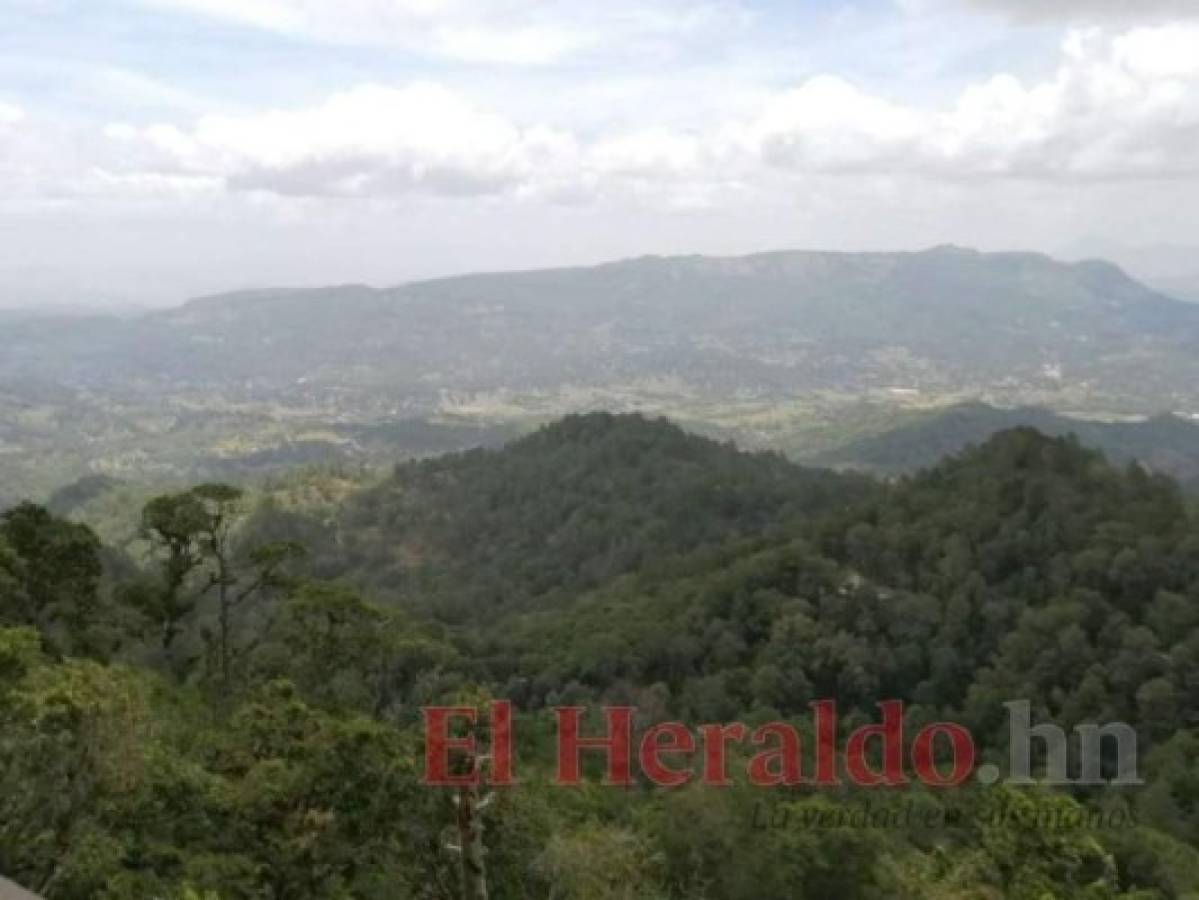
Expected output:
(230, 706)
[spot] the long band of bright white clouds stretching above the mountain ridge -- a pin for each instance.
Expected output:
(1119, 107)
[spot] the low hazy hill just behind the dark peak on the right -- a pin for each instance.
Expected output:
(1165, 444)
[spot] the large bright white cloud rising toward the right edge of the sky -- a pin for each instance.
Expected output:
(1123, 107)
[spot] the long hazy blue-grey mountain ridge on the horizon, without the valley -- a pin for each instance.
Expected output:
(768, 323)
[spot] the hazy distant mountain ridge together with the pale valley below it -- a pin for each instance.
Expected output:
(794, 351)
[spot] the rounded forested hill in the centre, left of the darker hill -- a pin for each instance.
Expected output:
(576, 504)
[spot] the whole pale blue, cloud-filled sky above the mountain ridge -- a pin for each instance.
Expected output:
(153, 150)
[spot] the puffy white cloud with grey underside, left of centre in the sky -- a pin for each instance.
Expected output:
(367, 142)
